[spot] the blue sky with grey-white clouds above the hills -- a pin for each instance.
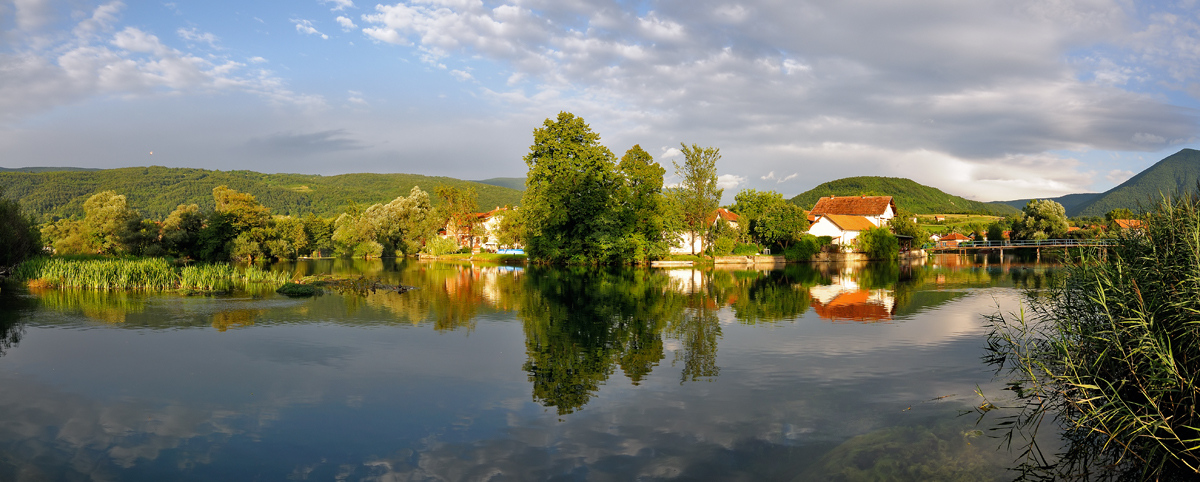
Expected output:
(987, 100)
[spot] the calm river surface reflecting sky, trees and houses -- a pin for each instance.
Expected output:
(491, 372)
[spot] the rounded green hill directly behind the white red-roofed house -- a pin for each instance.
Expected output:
(908, 195)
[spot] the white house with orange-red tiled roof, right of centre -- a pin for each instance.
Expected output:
(844, 218)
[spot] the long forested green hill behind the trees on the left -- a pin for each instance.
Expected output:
(157, 191)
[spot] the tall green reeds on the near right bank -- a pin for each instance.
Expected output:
(1113, 357)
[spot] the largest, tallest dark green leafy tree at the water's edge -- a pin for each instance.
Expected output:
(569, 207)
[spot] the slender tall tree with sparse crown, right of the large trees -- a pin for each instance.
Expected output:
(698, 195)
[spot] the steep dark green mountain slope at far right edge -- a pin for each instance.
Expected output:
(1175, 174)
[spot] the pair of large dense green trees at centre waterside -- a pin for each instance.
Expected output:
(581, 207)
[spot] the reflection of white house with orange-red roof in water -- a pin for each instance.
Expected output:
(847, 302)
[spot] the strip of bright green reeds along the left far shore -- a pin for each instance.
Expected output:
(143, 275)
